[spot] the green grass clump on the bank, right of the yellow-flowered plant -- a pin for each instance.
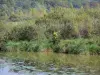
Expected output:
(80, 46)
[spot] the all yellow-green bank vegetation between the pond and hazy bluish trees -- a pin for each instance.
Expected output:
(61, 30)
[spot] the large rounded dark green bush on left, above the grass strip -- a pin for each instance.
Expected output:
(22, 33)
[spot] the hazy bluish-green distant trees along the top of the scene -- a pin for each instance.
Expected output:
(9, 6)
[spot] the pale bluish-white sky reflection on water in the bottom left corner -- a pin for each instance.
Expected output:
(18, 68)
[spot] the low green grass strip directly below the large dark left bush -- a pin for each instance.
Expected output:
(22, 46)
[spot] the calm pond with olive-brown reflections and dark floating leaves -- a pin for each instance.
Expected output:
(29, 63)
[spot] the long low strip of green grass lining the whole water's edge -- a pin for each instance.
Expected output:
(73, 46)
